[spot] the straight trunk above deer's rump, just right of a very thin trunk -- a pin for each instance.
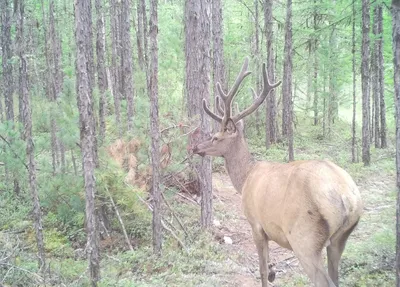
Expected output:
(365, 82)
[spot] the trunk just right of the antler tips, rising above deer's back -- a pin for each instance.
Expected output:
(287, 81)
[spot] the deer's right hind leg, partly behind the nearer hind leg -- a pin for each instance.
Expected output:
(334, 252)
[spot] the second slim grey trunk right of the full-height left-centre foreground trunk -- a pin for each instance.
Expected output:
(114, 16)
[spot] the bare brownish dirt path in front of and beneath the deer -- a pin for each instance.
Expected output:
(242, 250)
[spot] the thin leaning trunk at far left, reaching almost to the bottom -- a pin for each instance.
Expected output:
(27, 136)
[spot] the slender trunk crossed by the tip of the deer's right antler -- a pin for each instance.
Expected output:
(271, 122)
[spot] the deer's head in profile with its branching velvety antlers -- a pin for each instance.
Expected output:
(231, 126)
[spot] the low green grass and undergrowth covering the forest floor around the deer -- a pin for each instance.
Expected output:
(367, 261)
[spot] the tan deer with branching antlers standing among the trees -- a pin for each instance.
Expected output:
(304, 206)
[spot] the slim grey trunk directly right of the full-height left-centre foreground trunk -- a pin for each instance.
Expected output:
(101, 66)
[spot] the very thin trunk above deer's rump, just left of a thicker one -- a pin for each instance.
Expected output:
(353, 123)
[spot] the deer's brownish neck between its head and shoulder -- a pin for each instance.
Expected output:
(238, 163)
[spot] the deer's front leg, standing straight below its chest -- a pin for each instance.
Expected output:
(261, 241)
